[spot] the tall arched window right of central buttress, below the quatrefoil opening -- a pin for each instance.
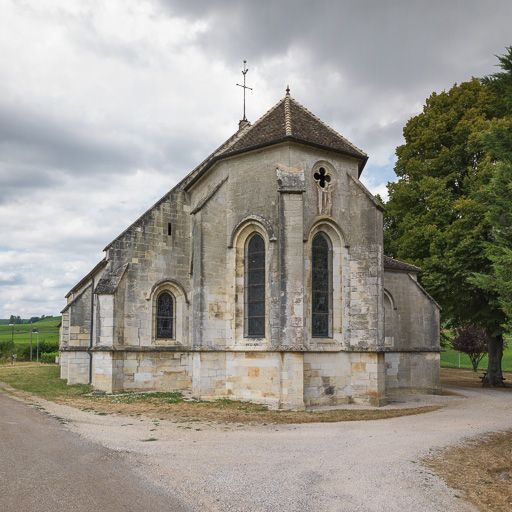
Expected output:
(321, 286)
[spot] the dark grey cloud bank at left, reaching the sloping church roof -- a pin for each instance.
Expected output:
(38, 152)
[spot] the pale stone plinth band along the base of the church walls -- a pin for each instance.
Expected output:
(281, 380)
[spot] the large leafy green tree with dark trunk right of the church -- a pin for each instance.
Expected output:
(437, 216)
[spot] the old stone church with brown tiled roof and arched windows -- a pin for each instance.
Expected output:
(260, 276)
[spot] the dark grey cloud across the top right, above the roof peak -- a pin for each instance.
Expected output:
(388, 44)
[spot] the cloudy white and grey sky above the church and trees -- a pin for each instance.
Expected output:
(105, 106)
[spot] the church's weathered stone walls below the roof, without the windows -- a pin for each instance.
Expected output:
(201, 262)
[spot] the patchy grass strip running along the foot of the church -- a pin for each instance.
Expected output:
(43, 381)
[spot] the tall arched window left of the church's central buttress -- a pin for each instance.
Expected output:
(255, 287)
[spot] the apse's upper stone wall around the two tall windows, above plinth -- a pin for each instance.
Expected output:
(225, 198)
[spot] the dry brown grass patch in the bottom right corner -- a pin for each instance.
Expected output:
(481, 469)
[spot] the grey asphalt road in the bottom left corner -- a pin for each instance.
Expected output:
(45, 467)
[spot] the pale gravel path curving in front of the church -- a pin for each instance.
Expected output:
(352, 466)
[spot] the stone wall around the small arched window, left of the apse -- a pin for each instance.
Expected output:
(153, 256)
